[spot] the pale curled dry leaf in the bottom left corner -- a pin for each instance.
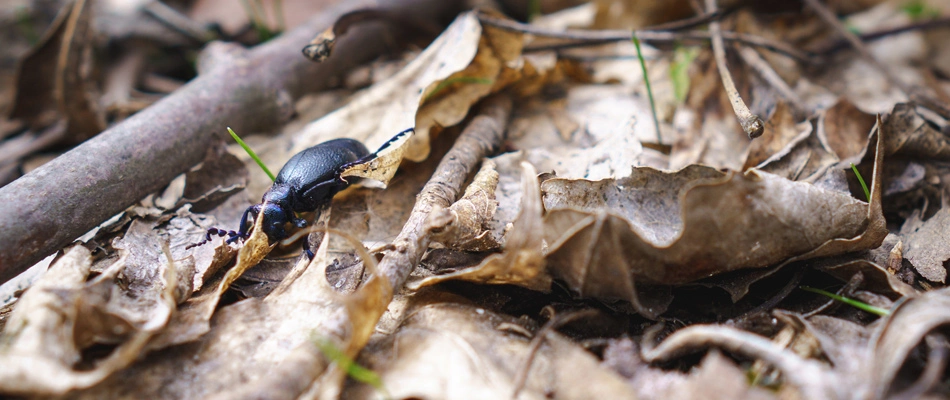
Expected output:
(62, 315)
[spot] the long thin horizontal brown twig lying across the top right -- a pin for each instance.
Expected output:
(584, 38)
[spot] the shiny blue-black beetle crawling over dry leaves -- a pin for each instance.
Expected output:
(307, 182)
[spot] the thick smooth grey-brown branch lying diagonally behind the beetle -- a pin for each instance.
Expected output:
(51, 206)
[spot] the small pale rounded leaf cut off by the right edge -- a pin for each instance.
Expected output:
(925, 243)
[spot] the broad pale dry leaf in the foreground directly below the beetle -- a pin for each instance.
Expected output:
(264, 345)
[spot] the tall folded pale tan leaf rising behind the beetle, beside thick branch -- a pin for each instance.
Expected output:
(436, 89)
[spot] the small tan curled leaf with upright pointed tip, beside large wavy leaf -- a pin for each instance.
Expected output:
(521, 262)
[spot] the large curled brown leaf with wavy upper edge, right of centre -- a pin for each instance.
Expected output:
(673, 228)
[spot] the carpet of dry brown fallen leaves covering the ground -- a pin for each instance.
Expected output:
(578, 210)
